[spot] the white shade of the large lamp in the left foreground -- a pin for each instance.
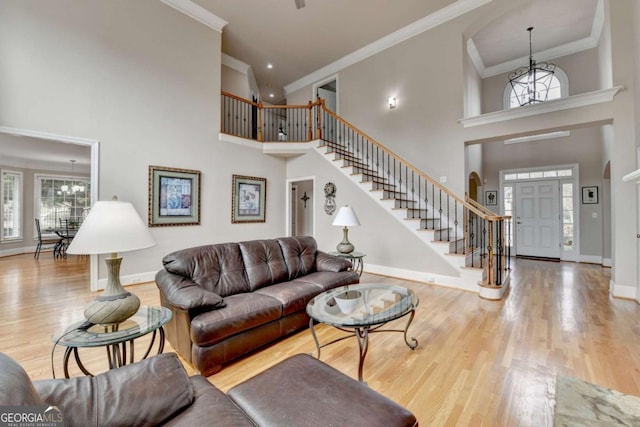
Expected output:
(111, 226)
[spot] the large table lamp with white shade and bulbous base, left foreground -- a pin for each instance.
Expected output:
(111, 227)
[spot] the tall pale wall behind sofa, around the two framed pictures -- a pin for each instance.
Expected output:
(144, 80)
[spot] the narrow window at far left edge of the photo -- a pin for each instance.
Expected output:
(11, 216)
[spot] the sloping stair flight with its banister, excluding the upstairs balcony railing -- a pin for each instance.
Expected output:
(466, 235)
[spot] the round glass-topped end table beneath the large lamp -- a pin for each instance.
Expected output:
(147, 320)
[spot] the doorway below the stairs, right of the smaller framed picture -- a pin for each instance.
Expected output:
(301, 207)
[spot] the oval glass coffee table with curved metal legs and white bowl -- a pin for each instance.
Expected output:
(362, 309)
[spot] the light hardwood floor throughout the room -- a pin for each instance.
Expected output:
(479, 363)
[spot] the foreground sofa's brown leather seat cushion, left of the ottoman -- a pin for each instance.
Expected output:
(210, 407)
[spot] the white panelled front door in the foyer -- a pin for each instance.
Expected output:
(538, 219)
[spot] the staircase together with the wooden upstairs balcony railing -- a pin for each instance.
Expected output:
(467, 236)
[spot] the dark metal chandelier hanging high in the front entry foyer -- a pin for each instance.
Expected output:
(531, 84)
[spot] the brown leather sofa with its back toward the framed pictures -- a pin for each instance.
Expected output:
(231, 298)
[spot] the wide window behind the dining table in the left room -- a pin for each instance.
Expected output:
(61, 198)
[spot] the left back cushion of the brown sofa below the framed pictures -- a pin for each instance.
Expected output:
(217, 268)
